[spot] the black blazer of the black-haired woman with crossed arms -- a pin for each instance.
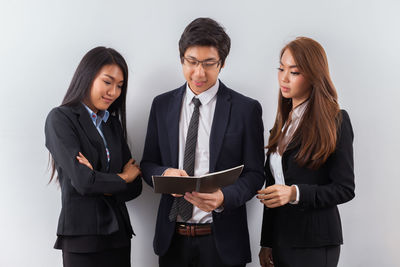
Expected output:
(85, 210)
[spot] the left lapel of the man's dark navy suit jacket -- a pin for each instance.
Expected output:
(173, 117)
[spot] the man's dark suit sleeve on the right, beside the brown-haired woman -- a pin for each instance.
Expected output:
(252, 177)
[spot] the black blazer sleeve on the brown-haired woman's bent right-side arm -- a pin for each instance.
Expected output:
(341, 173)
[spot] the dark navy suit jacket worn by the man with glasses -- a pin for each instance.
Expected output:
(236, 138)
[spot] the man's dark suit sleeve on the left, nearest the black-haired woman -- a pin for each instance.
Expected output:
(151, 160)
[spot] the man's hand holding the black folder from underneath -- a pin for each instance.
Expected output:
(206, 201)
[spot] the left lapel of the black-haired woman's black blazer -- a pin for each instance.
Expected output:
(93, 135)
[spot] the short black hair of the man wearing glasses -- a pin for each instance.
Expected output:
(205, 32)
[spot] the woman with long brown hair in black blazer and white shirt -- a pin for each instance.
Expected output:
(309, 165)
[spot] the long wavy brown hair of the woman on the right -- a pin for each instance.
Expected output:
(317, 132)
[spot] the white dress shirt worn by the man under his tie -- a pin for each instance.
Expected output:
(208, 100)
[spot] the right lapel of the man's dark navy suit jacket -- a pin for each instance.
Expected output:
(220, 122)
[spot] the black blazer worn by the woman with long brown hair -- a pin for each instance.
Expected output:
(315, 220)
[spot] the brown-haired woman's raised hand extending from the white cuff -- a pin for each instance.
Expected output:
(277, 195)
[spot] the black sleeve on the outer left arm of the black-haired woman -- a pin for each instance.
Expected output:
(63, 143)
